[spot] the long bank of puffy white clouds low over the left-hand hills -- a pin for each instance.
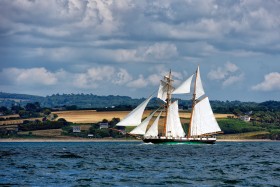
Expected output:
(92, 78)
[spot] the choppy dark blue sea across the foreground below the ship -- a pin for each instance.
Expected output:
(139, 164)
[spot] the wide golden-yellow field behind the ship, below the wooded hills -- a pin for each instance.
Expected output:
(92, 116)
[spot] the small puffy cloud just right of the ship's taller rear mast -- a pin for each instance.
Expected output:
(228, 74)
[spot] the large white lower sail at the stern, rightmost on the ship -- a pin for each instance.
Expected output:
(203, 120)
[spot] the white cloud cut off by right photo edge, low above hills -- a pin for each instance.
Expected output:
(271, 82)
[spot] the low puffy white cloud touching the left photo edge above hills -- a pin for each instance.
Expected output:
(32, 76)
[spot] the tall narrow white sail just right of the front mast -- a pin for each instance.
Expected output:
(173, 125)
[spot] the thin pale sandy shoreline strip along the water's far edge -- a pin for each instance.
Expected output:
(7, 140)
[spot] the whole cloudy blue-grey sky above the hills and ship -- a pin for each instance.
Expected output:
(124, 47)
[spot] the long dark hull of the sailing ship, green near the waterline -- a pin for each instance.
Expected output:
(179, 141)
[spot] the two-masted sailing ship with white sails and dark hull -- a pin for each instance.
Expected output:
(202, 127)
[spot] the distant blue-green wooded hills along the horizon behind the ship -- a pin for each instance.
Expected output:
(91, 101)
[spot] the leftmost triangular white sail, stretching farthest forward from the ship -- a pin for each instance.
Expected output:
(135, 116)
